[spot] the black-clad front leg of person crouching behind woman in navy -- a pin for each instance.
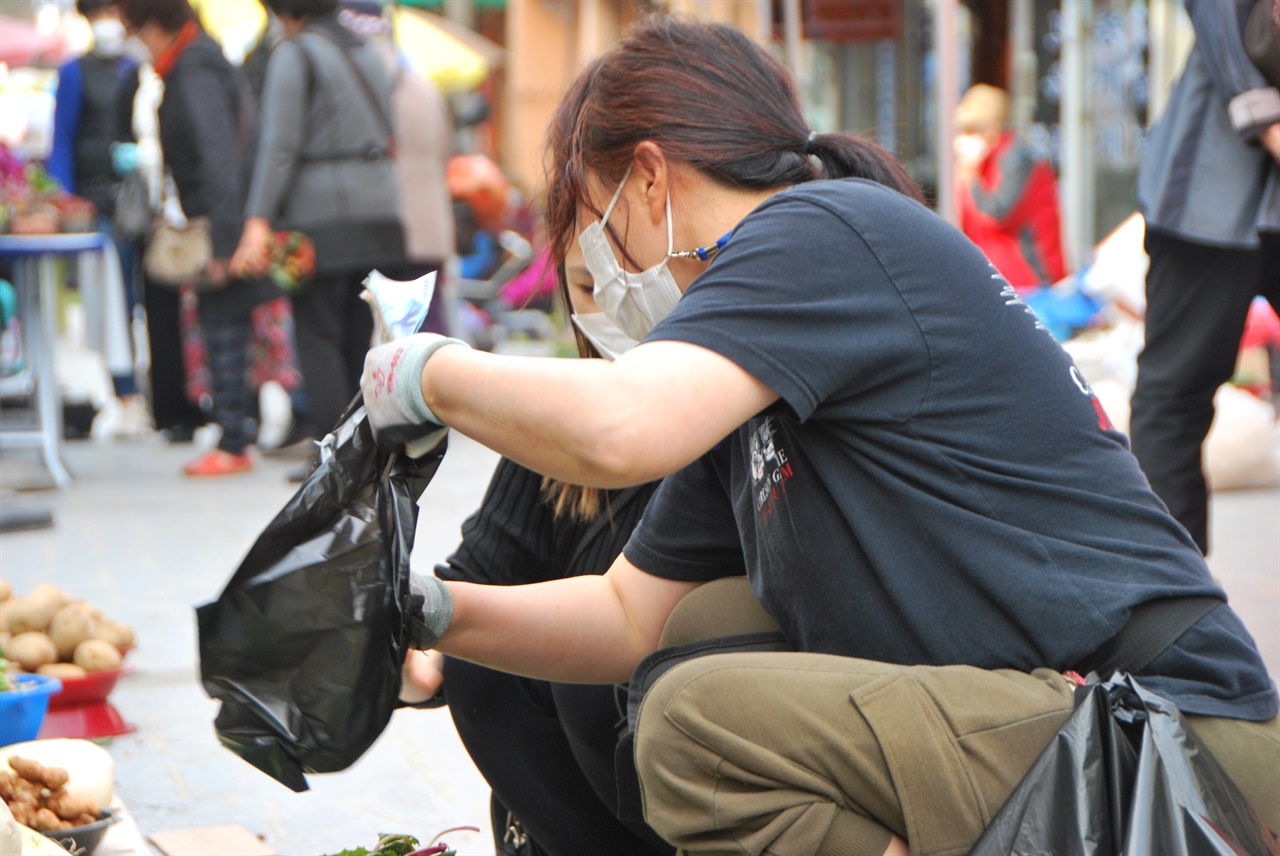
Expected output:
(513, 731)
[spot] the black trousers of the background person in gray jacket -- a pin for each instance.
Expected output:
(333, 329)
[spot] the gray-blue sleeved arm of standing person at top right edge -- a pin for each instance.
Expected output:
(1254, 104)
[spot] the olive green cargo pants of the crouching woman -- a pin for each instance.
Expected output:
(794, 754)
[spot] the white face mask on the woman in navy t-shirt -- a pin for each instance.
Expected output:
(634, 303)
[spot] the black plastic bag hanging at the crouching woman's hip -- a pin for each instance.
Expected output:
(1126, 775)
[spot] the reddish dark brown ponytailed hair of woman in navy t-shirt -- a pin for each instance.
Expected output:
(710, 98)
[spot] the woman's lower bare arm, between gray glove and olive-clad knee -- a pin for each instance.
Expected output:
(579, 630)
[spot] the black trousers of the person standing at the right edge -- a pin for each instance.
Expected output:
(1197, 300)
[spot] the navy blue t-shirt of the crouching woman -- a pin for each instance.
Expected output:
(938, 484)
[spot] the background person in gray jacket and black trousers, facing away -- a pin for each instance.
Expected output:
(326, 168)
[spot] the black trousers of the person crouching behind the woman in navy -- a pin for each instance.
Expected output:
(547, 752)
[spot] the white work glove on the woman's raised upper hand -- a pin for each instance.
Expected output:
(392, 384)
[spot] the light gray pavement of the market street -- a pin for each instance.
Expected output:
(148, 546)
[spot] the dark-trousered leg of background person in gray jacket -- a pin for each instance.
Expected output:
(319, 329)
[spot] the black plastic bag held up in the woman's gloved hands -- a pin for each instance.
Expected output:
(305, 646)
